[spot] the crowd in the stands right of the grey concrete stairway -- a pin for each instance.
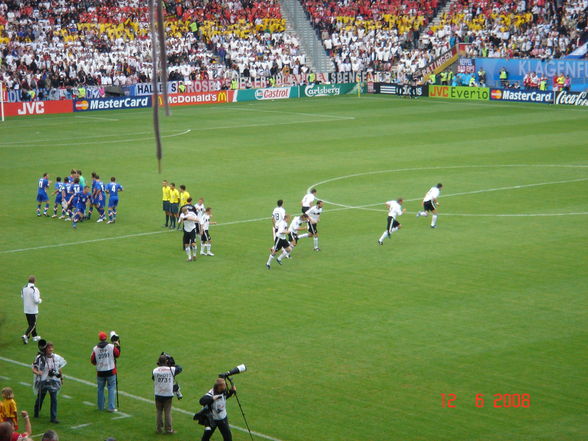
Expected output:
(388, 35)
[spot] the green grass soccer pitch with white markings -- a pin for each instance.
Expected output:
(356, 342)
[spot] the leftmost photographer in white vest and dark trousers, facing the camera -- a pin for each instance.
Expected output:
(48, 377)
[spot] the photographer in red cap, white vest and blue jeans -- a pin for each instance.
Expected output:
(104, 357)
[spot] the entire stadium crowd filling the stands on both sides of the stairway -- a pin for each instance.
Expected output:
(49, 48)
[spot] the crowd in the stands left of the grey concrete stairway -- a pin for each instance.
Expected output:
(50, 45)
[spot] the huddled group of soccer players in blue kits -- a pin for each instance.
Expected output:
(73, 197)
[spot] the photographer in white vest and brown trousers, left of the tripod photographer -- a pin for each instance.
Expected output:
(164, 376)
